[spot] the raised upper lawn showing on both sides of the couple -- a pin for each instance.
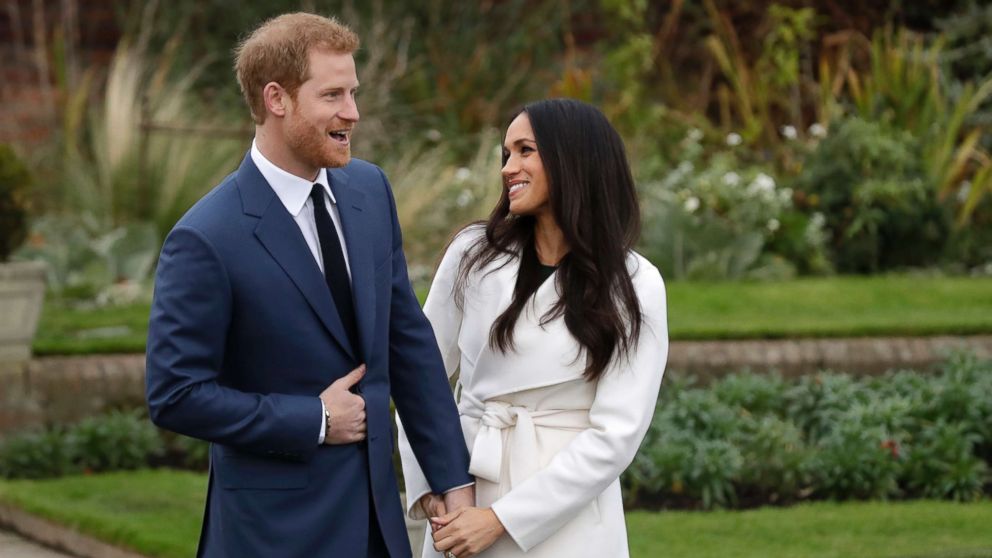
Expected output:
(815, 307)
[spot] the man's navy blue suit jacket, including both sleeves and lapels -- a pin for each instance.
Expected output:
(243, 337)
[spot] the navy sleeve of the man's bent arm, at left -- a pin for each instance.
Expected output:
(187, 337)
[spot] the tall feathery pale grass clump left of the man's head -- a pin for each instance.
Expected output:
(133, 149)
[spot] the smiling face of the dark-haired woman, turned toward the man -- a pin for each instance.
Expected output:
(523, 173)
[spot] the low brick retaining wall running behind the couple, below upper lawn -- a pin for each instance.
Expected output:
(57, 390)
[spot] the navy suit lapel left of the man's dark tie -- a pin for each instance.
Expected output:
(281, 237)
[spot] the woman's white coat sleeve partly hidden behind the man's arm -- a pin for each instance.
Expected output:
(445, 318)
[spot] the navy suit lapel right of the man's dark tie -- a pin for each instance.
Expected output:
(358, 236)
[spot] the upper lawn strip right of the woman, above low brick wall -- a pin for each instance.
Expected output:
(831, 307)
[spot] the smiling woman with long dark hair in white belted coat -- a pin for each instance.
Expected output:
(558, 330)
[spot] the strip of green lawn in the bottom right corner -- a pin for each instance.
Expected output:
(920, 529)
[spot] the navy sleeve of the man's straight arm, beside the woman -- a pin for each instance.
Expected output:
(430, 431)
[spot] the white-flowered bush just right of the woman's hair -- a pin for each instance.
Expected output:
(714, 217)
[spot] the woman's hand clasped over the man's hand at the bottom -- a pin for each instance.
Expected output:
(466, 532)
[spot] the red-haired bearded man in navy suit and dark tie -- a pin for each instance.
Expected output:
(283, 320)
